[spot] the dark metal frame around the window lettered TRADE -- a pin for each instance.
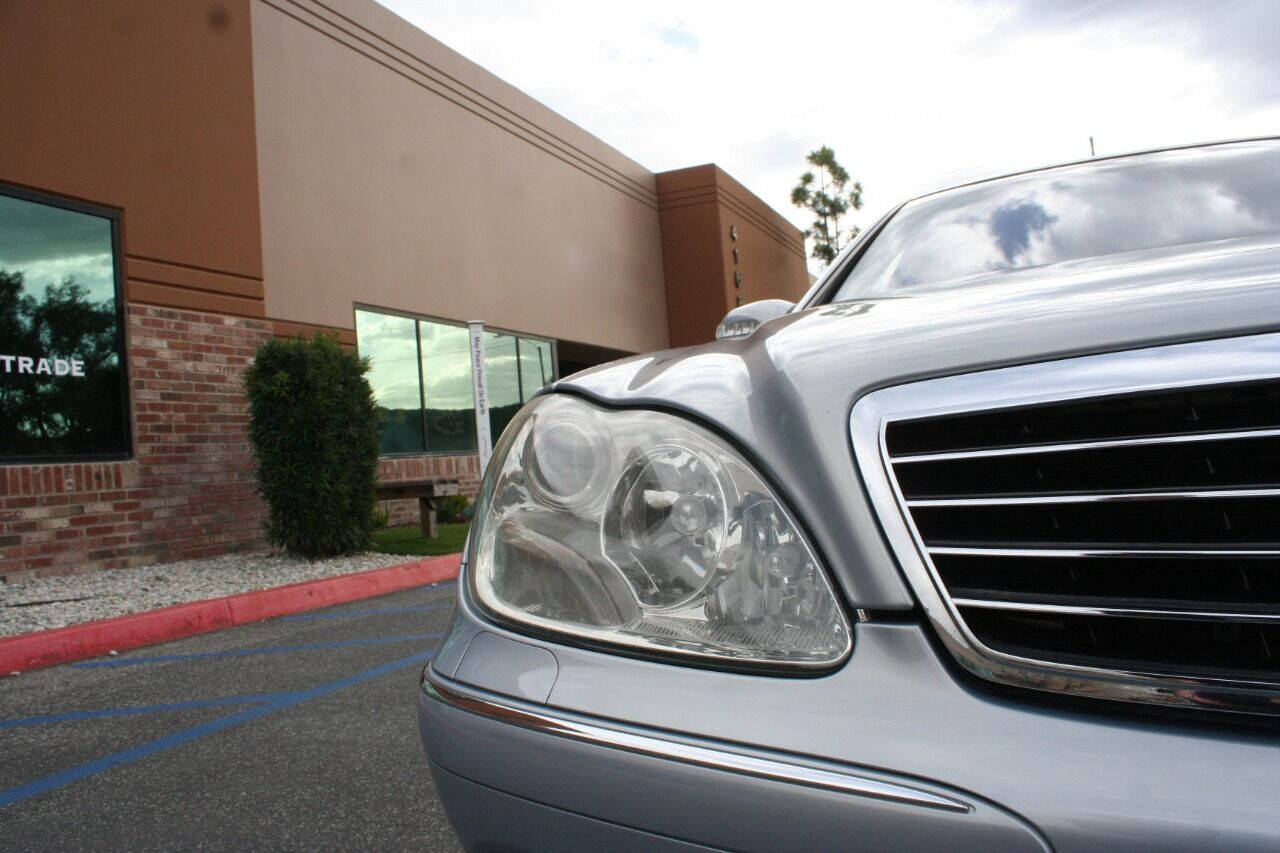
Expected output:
(113, 216)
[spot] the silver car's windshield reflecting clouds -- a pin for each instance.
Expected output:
(1072, 215)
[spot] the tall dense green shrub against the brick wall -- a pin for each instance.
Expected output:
(314, 435)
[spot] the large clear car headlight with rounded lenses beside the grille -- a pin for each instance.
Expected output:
(642, 530)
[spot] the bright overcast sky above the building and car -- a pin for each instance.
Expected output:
(911, 94)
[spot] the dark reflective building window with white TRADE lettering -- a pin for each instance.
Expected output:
(62, 332)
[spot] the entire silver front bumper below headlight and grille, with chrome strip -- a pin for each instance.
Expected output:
(893, 751)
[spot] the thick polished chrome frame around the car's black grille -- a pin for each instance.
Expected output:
(1164, 368)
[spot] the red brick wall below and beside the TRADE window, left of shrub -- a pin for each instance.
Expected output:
(188, 492)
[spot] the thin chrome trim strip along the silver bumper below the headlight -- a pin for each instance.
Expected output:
(685, 754)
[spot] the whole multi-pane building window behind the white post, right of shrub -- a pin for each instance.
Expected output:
(420, 372)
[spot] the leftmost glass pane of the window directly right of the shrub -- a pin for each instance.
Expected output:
(391, 345)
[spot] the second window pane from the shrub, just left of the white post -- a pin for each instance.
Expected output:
(451, 407)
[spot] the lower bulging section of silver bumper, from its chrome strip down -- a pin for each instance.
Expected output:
(564, 782)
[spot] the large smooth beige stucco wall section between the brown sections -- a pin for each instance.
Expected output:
(395, 172)
